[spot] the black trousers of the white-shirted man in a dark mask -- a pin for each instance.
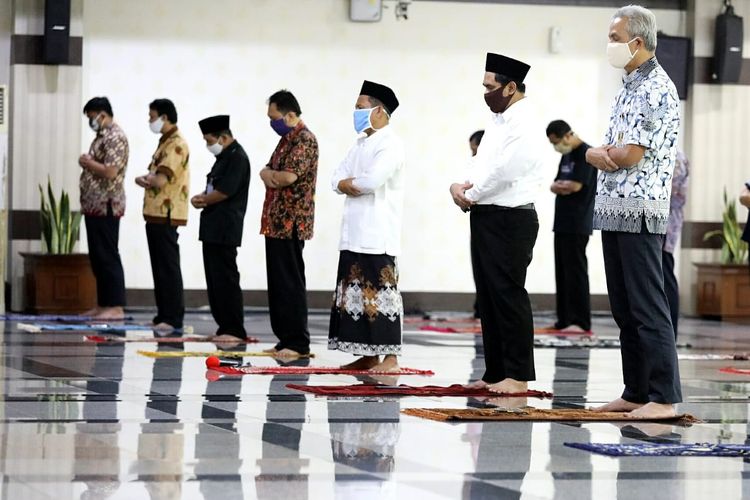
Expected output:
(502, 242)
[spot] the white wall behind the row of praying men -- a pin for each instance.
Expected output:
(228, 57)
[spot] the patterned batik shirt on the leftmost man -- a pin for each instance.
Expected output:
(98, 194)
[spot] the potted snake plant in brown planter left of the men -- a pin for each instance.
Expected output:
(58, 281)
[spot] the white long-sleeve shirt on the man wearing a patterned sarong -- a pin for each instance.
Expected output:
(371, 222)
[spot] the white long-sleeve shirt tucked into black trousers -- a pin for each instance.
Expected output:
(508, 169)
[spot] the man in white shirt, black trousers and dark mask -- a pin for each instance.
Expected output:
(505, 178)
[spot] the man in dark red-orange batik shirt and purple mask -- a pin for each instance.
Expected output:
(287, 222)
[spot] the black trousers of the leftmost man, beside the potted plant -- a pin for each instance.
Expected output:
(103, 235)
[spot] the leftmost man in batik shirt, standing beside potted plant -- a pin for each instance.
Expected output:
(102, 205)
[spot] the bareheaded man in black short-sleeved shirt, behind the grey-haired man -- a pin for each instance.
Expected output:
(575, 186)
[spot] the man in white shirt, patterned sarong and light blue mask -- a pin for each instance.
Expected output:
(367, 308)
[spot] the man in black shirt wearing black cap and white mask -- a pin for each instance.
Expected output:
(224, 203)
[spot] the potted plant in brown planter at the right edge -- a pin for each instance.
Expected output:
(724, 288)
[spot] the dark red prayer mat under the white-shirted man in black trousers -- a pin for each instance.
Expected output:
(457, 390)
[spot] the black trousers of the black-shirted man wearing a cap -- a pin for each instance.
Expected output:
(224, 292)
